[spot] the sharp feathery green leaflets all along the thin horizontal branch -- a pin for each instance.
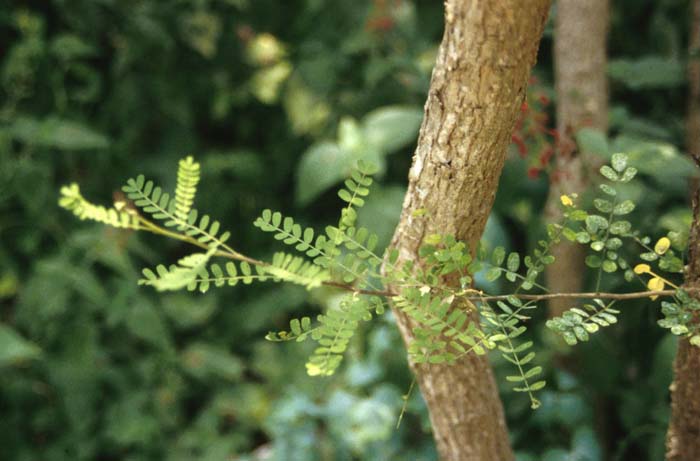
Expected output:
(444, 317)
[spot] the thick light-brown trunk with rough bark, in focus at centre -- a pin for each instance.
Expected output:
(477, 88)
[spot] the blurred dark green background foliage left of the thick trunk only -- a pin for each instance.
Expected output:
(95, 92)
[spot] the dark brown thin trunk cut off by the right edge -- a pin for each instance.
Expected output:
(683, 439)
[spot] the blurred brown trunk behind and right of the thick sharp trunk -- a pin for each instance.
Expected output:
(582, 100)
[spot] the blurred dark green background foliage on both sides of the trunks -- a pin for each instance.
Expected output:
(278, 99)
